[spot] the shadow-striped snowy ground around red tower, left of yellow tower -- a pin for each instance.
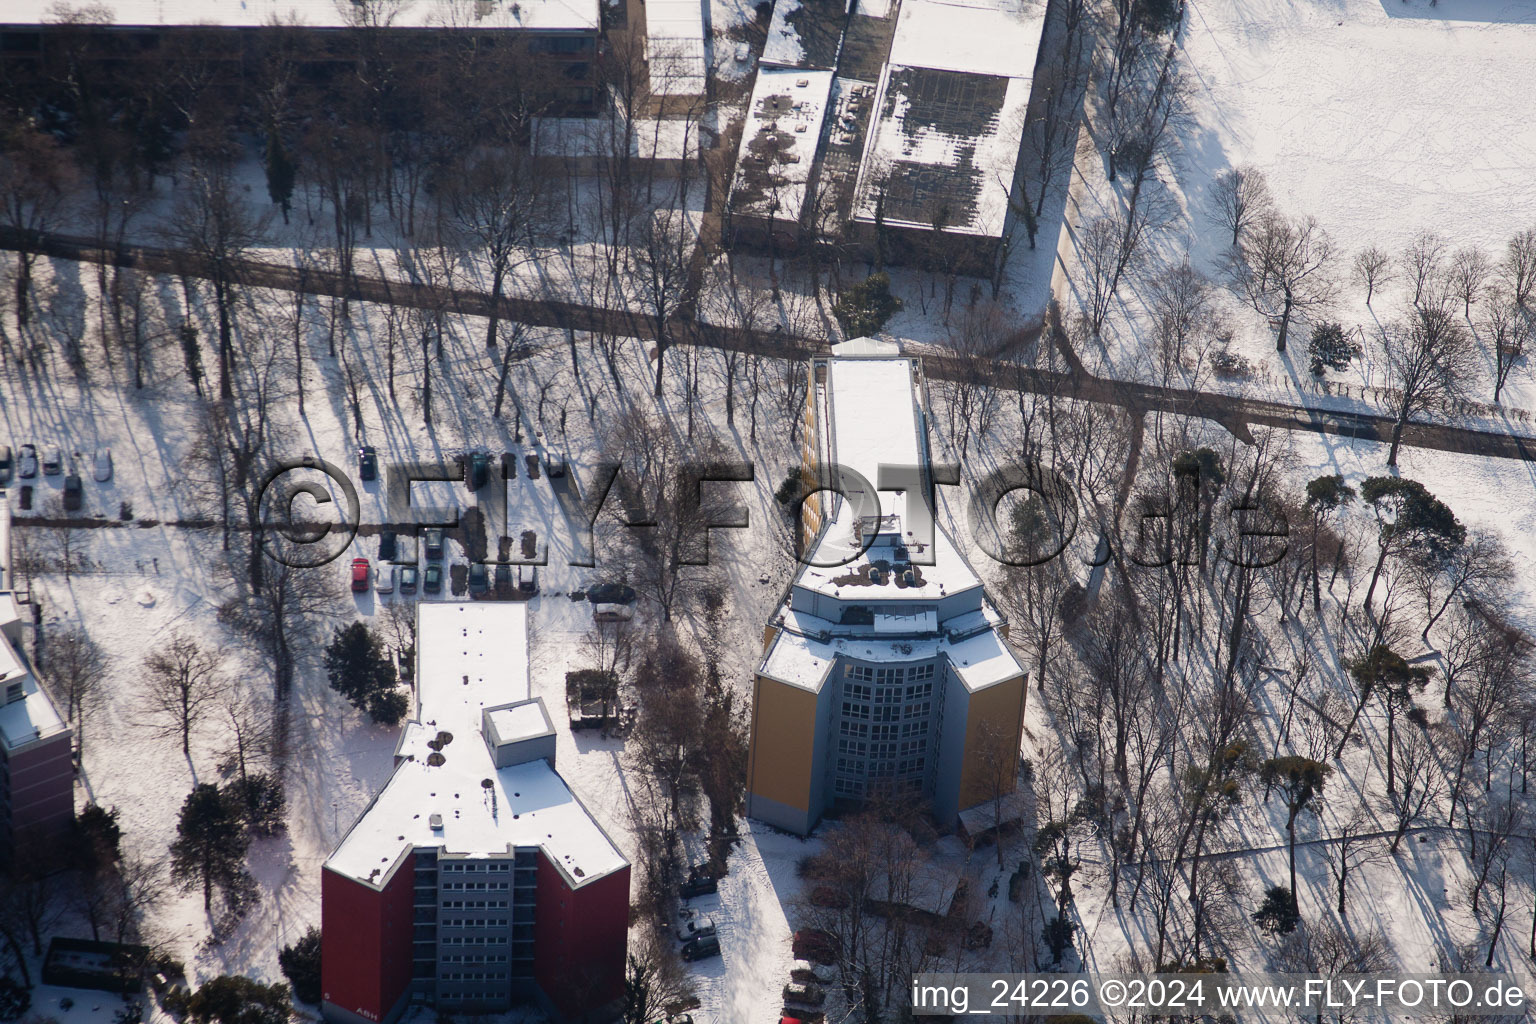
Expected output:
(139, 584)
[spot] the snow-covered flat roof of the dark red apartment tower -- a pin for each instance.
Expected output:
(471, 658)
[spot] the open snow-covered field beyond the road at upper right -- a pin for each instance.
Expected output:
(1382, 119)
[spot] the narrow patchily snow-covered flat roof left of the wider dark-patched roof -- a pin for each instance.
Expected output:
(780, 140)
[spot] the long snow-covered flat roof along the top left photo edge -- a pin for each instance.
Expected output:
(406, 15)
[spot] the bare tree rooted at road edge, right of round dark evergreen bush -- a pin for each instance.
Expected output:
(1428, 360)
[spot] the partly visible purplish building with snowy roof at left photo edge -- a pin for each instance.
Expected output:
(38, 770)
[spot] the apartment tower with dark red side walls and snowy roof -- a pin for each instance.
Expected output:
(475, 882)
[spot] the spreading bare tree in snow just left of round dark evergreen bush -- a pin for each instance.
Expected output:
(1283, 268)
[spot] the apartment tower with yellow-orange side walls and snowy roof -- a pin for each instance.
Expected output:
(886, 669)
